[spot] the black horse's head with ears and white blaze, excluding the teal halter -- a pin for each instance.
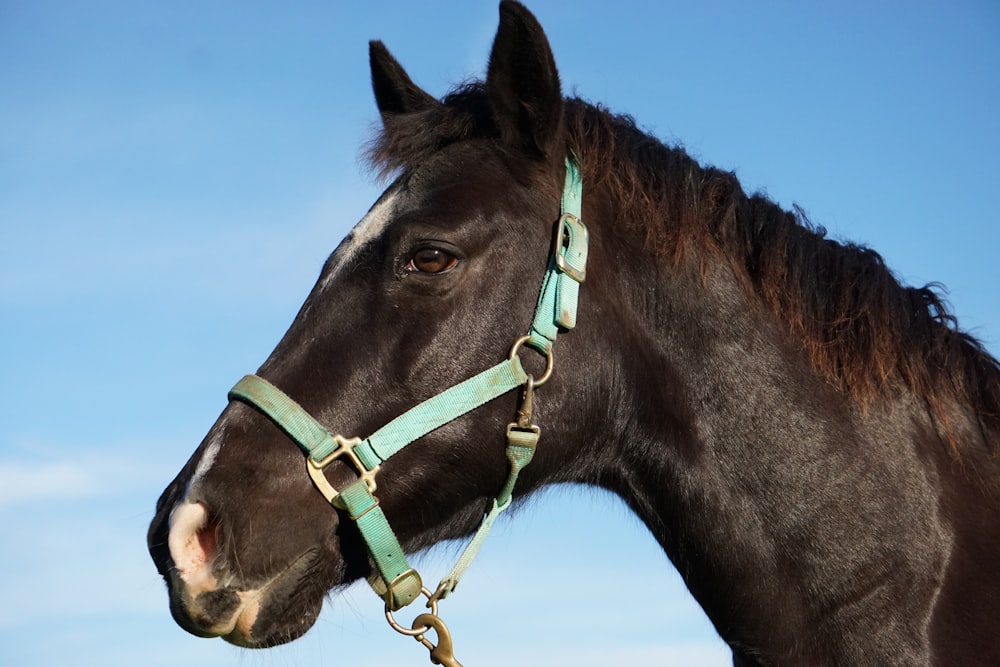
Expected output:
(436, 283)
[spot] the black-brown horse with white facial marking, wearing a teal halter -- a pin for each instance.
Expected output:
(815, 446)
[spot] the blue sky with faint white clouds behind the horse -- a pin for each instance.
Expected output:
(173, 175)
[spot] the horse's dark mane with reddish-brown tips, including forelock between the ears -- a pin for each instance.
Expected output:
(868, 334)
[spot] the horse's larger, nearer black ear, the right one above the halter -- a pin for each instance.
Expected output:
(523, 82)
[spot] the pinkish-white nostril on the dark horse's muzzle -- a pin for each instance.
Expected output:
(192, 543)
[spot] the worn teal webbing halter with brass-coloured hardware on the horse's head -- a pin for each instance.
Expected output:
(396, 582)
